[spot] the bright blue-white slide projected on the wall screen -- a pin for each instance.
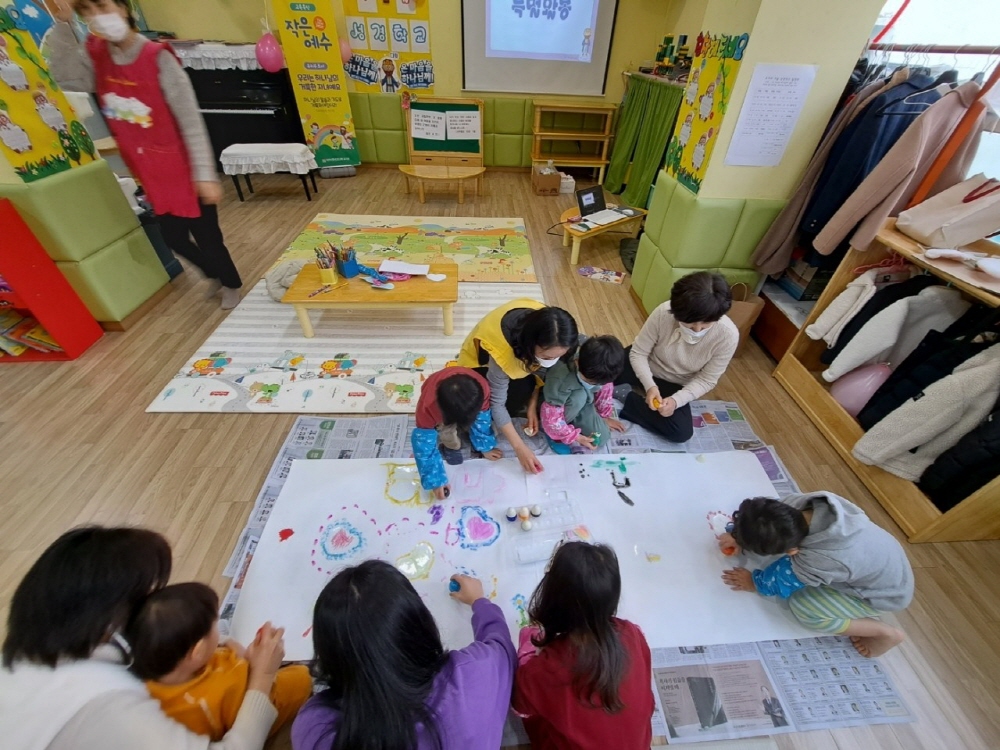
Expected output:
(541, 29)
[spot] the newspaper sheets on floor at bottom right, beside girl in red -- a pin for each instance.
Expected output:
(770, 687)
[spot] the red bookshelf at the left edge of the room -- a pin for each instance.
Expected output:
(40, 289)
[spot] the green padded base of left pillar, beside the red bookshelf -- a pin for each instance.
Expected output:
(85, 224)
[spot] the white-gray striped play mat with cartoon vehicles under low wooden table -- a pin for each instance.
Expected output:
(363, 361)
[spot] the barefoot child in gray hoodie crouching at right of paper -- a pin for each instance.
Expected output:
(837, 569)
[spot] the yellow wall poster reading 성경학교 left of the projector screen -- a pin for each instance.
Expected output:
(391, 46)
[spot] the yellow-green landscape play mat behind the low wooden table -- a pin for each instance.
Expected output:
(494, 250)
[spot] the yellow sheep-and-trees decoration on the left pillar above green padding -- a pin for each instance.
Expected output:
(39, 133)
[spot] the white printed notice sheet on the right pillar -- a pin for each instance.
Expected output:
(770, 112)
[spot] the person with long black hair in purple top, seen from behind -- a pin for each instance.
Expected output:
(391, 684)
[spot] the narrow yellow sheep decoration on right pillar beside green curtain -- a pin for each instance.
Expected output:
(706, 99)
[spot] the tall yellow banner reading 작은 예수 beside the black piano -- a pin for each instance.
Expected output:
(311, 47)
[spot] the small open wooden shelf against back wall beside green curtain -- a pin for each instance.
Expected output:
(600, 135)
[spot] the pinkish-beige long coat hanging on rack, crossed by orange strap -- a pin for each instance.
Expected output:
(890, 186)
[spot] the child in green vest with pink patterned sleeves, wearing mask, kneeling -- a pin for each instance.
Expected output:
(577, 410)
